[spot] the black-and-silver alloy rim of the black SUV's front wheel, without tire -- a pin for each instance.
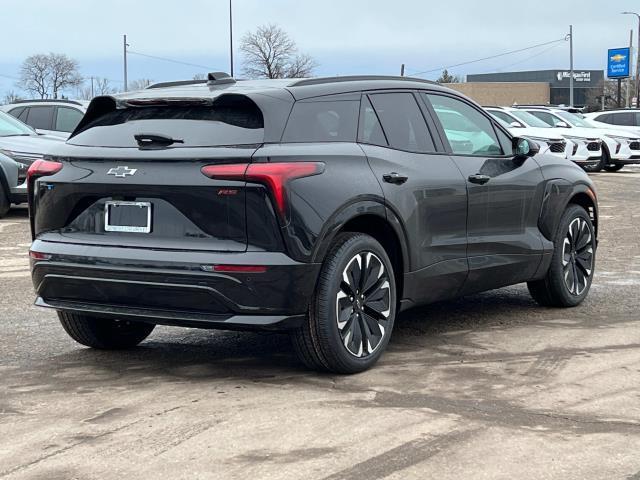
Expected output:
(577, 256)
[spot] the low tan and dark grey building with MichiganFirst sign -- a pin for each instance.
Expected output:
(533, 87)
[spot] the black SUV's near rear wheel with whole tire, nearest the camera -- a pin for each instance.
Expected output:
(349, 325)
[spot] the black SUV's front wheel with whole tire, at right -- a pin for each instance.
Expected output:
(569, 278)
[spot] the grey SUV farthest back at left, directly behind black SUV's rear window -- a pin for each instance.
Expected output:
(50, 117)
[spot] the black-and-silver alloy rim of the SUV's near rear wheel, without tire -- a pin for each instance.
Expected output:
(363, 304)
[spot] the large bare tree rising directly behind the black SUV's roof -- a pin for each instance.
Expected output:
(270, 53)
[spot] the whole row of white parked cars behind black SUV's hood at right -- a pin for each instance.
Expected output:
(594, 141)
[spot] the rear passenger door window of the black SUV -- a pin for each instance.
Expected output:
(403, 122)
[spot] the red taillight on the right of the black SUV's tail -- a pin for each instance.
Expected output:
(275, 176)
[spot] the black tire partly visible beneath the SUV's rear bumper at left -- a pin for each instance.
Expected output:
(102, 333)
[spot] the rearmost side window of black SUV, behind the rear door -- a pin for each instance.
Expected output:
(323, 121)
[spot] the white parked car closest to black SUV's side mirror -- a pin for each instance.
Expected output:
(579, 150)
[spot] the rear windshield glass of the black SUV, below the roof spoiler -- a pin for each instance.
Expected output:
(225, 123)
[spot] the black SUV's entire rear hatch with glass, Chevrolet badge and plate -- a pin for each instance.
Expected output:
(132, 176)
